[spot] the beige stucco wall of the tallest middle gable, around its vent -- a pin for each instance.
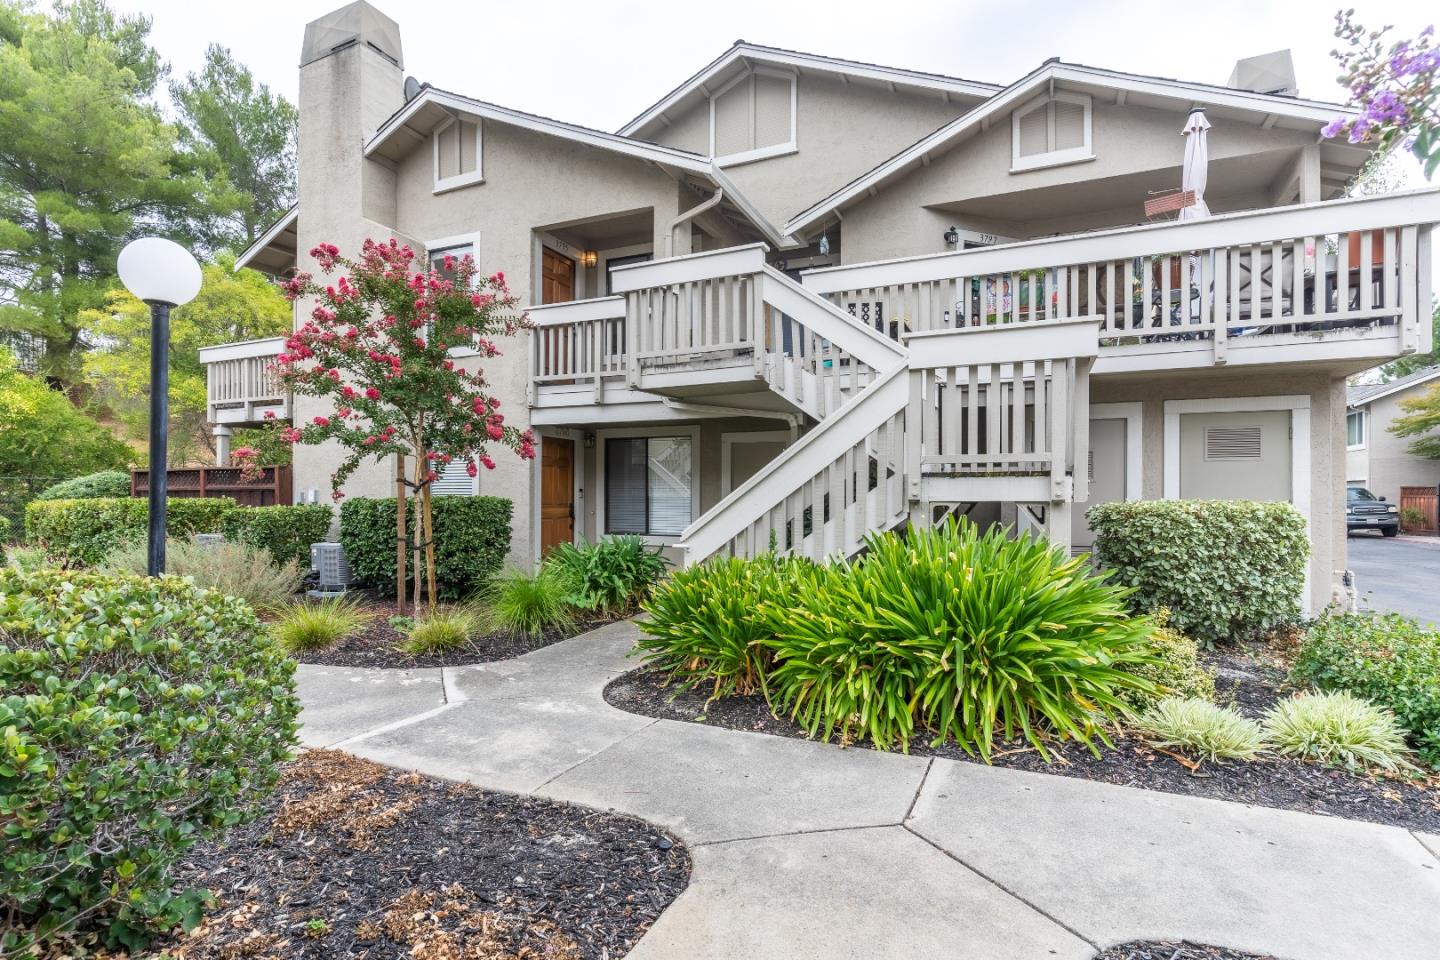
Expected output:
(843, 130)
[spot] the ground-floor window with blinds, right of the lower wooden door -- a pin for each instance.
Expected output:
(649, 486)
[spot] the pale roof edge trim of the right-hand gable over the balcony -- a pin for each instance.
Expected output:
(1271, 110)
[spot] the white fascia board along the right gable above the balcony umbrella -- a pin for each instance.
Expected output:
(1050, 73)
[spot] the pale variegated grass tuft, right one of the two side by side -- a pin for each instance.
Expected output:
(1337, 729)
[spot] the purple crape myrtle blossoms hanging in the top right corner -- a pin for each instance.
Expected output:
(1393, 87)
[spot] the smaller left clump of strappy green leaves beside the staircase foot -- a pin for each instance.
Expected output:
(705, 624)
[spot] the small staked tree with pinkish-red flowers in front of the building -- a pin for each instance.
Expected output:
(378, 348)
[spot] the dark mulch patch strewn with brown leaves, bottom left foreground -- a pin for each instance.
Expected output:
(355, 860)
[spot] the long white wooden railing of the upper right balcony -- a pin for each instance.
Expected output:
(1349, 270)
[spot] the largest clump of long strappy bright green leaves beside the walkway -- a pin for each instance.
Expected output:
(964, 635)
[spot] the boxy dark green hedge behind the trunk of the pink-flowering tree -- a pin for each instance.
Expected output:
(472, 542)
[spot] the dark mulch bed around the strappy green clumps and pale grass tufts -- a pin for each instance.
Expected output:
(1245, 677)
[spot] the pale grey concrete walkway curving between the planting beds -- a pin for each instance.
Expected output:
(809, 851)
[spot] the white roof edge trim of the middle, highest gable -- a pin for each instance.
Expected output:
(698, 86)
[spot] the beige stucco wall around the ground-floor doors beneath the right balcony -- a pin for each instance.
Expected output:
(1327, 398)
